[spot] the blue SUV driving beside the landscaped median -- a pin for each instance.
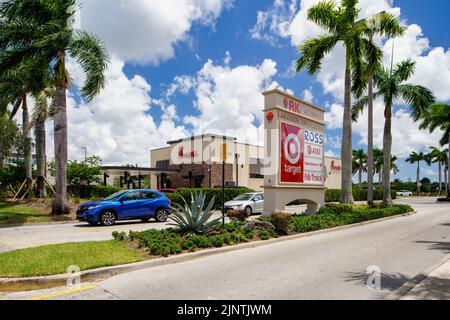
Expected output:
(126, 205)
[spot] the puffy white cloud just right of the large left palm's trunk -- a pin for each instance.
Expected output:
(117, 125)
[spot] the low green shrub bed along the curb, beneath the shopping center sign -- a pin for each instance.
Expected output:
(171, 241)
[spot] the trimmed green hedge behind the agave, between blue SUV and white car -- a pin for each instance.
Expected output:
(230, 194)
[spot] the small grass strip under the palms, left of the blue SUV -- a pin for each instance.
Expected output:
(19, 213)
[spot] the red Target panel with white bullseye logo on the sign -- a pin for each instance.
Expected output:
(292, 141)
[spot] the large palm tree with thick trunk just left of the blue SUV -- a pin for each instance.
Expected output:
(44, 29)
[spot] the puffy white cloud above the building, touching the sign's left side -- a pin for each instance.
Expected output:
(230, 98)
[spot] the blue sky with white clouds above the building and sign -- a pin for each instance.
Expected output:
(177, 64)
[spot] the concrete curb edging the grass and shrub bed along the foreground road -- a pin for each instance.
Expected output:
(43, 282)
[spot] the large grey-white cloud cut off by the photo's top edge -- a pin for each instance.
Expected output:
(143, 31)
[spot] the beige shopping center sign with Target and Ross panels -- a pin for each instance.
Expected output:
(294, 144)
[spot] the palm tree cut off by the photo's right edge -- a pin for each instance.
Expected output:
(439, 118)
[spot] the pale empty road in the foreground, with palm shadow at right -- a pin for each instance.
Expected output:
(325, 266)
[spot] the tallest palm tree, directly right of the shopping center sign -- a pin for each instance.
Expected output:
(342, 27)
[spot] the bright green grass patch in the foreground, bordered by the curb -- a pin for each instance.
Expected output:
(56, 258)
